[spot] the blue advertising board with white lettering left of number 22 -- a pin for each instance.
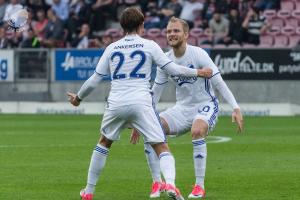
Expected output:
(76, 65)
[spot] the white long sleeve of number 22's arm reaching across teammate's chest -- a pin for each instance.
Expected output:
(163, 62)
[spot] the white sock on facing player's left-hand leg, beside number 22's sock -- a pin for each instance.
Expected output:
(153, 163)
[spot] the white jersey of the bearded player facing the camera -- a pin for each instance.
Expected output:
(190, 91)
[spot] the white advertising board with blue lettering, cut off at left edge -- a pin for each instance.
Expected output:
(6, 65)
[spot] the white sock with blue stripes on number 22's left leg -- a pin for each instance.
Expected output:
(97, 163)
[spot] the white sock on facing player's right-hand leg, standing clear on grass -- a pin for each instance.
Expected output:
(199, 155)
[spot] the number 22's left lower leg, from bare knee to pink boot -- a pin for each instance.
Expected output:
(97, 164)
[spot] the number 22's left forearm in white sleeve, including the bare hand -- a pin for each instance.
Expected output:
(87, 87)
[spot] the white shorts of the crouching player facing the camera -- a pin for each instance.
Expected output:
(181, 118)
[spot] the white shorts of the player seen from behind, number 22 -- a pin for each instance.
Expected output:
(141, 117)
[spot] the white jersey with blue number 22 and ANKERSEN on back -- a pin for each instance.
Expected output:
(128, 61)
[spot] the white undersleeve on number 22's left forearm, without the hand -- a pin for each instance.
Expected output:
(89, 85)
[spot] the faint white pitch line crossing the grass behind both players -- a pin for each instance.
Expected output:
(213, 139)
